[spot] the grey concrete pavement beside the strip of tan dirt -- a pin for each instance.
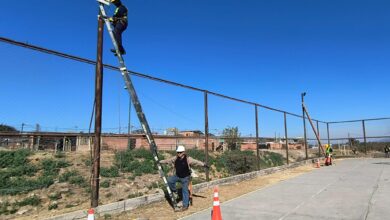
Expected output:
(351, 189)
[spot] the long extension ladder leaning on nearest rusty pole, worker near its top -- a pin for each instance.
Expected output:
(136, 103)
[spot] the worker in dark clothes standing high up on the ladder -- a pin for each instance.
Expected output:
(119, 21)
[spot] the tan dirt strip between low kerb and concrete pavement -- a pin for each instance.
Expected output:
(204, 200)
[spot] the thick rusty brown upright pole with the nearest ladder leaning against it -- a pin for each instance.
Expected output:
(98, 116)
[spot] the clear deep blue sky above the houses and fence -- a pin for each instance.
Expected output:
(261, 51)
